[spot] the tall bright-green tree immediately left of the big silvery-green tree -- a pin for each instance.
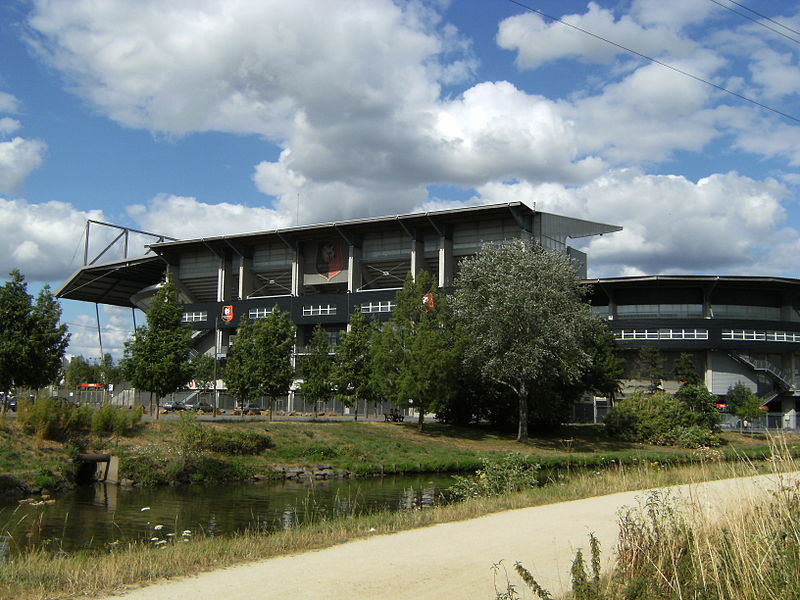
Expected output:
(415, 355)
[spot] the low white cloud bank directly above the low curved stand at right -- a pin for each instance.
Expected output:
(724, 223)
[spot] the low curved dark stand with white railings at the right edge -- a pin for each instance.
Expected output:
(737, 329)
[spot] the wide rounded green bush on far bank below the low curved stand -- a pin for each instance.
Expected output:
(661, 419)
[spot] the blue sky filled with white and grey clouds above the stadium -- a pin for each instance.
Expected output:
(202, 117)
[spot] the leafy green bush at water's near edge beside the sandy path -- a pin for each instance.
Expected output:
(500, 475)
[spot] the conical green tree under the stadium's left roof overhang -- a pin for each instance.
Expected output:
(157, 357)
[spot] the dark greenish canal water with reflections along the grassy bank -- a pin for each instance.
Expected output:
(103, 516)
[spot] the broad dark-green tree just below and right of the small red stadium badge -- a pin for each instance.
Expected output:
(260, 362)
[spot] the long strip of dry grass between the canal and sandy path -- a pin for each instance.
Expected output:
(38, 575)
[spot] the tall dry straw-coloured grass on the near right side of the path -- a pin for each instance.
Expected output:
(747, 548)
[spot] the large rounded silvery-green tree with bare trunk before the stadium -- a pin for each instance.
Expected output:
(523, 311)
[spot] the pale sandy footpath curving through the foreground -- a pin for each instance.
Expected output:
(451, 560)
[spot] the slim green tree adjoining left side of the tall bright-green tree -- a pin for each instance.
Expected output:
(352, 367)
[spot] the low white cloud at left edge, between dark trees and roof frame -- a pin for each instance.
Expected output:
(41, 240)
